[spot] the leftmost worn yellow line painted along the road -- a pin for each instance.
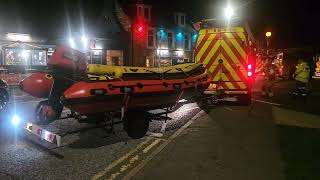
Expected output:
(118, 161)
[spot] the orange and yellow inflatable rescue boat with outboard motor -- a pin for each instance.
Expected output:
(99, 89)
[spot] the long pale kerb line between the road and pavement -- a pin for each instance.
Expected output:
(137, 168)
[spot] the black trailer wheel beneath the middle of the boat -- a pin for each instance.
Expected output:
(136, 124)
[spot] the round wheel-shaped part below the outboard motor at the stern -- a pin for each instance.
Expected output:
(47, 111)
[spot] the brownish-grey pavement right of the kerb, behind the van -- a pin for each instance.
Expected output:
(227, 142)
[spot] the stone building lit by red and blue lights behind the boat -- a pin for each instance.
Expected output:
(167, 39)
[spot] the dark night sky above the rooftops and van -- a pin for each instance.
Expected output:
(294, 23)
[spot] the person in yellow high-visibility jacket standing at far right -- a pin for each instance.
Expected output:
(302, 77)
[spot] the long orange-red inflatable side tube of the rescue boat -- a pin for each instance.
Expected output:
(98, 97)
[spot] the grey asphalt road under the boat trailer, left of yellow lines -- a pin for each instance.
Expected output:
(86, 148)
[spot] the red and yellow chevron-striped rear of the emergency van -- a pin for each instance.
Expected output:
(227, 45)
